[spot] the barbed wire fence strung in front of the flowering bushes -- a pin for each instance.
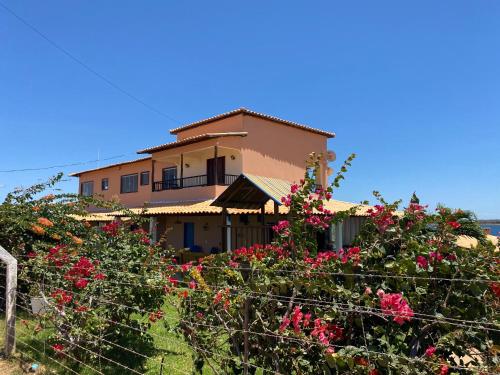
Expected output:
(34, 347)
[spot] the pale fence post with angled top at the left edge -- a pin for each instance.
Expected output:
(10, 301)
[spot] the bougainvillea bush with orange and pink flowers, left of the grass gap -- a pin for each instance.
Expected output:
(98, 285)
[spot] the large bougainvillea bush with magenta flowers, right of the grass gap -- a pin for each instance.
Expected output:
(404, 300)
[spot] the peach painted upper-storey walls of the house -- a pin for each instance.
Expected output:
(270, 149)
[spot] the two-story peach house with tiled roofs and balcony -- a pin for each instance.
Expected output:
(182, 182)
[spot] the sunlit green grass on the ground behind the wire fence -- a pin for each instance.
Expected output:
(174, 355)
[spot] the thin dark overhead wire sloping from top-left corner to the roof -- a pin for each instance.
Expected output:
(87, 67)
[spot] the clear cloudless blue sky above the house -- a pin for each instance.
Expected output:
(412, 87)
